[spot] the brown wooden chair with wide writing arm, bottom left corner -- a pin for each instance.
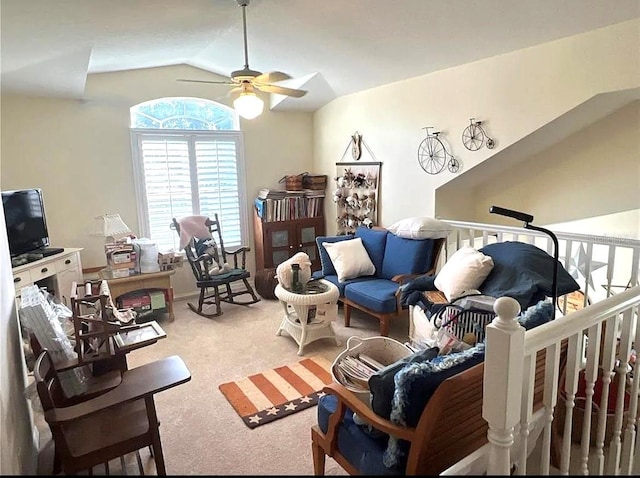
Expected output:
(111, 425)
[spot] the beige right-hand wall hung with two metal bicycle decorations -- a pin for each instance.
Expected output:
(514, 95)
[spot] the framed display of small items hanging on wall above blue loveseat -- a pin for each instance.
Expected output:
(356, 195)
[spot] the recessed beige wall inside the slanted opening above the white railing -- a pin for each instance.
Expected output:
(602, 162)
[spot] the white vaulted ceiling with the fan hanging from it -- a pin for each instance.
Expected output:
(329, 47)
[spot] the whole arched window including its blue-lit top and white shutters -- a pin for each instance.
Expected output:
(188, 160)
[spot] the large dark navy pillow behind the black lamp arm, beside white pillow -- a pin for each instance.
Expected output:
(525, 272)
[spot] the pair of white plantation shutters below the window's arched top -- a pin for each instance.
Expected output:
(186, 173)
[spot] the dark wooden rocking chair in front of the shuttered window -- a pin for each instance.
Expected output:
(204, 256)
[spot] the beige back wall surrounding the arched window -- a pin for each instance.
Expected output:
(79, 152)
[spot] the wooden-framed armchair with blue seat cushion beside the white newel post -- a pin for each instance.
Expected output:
(450, 426)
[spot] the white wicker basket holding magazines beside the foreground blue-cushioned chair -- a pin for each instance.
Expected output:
(382, 349)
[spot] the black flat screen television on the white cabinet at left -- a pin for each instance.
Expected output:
(26, 220)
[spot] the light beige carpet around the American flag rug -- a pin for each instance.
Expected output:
(201, 433)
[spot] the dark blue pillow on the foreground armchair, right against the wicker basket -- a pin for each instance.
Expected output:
(382, 385)
